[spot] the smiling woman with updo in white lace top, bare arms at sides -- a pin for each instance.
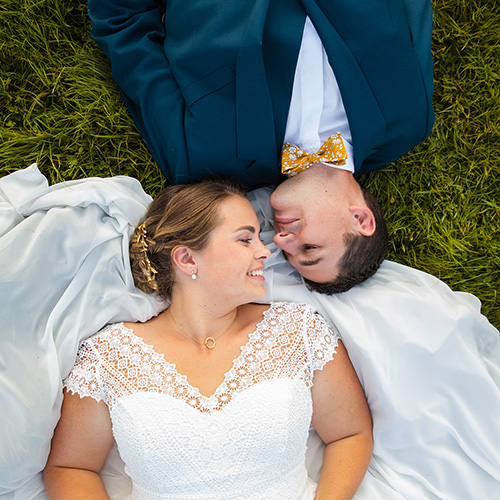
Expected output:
(213, 398)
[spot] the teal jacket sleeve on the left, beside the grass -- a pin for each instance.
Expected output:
(131, 33)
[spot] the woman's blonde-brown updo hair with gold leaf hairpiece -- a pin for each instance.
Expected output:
(182, 215)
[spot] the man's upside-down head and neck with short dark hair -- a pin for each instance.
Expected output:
(311, 212)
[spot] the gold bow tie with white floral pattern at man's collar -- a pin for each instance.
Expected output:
(295, 160)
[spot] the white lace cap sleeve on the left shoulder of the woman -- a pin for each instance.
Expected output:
(84, 379)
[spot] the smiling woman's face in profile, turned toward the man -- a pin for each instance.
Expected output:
(231, 264)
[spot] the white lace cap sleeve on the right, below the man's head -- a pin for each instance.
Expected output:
(322, 340)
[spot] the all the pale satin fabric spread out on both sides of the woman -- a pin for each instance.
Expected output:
(428, 360)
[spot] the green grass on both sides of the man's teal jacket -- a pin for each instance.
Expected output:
(59, 107)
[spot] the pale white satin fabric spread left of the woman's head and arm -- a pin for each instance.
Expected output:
(64, 272)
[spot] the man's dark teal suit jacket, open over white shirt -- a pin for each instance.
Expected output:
(209, 82)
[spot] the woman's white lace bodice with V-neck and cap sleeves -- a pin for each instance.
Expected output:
(246, 441)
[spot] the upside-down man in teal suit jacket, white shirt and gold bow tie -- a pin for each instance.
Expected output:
(228, 87)
